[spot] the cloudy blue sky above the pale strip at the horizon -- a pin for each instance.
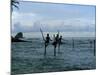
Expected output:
(31, 16)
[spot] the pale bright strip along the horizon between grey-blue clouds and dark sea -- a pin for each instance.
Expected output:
(64, 34)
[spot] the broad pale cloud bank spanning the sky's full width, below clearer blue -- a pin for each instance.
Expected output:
(29, 22)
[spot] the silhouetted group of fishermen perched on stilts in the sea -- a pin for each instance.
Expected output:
(57, 40)
